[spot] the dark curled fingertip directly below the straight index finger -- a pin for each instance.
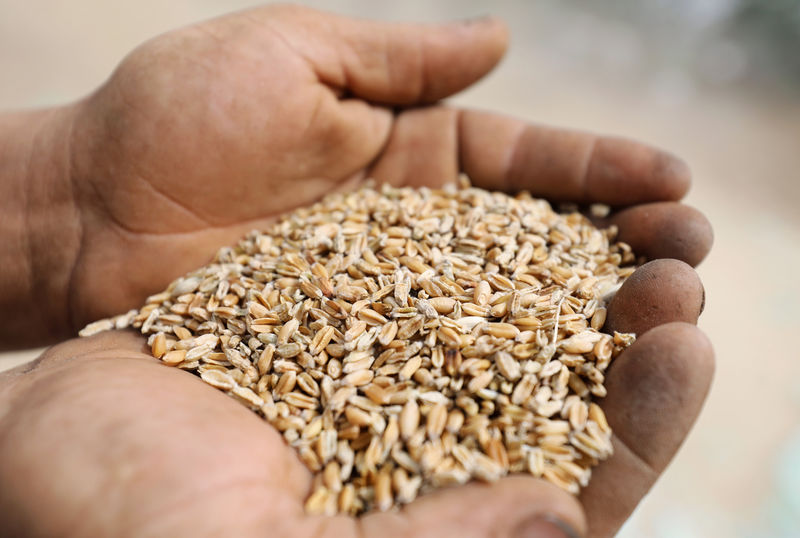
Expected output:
(665, 230)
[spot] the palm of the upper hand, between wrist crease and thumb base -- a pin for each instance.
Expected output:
(204, 134)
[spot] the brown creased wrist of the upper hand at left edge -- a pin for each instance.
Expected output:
(40, 233)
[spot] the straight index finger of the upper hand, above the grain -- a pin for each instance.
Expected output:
(507, 154)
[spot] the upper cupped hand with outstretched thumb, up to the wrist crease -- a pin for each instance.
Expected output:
(207, 132)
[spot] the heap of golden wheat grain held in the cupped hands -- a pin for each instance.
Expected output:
(408, 339)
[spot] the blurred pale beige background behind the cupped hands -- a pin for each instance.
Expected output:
(715, 81)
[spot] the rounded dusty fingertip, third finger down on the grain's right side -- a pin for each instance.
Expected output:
(660, 291)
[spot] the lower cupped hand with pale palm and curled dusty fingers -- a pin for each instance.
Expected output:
(99, 439)
